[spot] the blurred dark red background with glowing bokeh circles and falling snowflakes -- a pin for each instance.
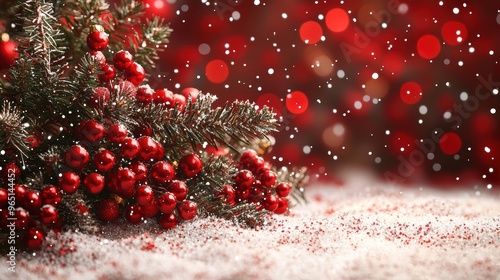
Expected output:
(404, 89)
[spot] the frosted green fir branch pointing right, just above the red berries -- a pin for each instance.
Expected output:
(199, 122)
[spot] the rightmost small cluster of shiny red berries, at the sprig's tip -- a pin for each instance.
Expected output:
(256, 183)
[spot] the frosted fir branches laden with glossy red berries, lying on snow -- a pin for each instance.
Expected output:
(114, 148)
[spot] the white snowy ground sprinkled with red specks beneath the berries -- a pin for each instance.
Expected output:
(356, 232)
